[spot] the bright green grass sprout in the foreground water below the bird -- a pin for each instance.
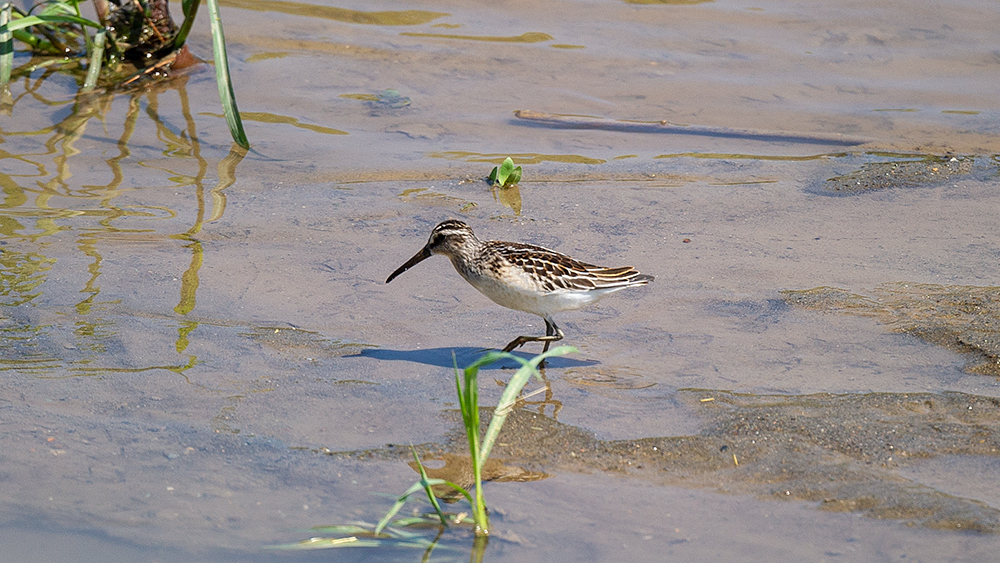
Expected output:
(395, 532)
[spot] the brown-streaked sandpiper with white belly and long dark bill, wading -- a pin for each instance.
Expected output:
(524, 277)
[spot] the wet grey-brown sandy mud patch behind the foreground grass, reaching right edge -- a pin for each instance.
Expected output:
(841, 453)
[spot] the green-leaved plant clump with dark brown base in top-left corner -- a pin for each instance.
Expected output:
(129, 42)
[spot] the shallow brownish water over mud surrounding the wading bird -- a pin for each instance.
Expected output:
(187, 332)
